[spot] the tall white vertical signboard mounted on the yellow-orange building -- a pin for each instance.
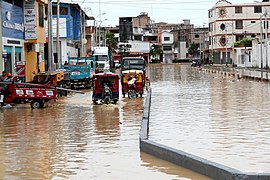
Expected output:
(30, 20)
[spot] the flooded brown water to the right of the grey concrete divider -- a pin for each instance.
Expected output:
(221, 119)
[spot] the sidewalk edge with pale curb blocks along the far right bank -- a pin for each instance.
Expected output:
(239, 72)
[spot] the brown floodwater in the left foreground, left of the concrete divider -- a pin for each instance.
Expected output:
(73, 139)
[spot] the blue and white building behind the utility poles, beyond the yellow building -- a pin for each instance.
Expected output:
(72, 31)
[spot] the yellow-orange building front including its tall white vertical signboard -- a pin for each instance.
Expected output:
(35, 37)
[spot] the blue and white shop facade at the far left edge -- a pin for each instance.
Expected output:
(12, 36)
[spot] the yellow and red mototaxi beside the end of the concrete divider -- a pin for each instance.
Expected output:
(132, 83)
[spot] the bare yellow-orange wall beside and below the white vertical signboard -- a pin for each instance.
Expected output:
(31, 57)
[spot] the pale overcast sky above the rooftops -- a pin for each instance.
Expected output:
(170, 11)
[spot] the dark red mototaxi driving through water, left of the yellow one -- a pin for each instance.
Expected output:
(106, 88)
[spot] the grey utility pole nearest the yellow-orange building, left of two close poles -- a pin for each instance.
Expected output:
(50, 42)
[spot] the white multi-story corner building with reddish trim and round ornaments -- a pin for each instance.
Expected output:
(229, 23)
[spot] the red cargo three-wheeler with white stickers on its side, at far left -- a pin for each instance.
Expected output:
(21, 93)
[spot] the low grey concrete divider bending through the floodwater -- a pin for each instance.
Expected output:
(186, 160)
